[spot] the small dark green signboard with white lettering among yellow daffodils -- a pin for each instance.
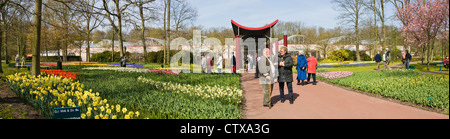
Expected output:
(67, 113)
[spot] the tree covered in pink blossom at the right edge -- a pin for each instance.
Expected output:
(424, 22)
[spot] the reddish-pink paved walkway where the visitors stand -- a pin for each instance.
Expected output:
(324, 101)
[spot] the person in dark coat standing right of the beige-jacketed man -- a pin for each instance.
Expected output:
(285, 64)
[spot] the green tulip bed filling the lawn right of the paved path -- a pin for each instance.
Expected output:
(405, 85)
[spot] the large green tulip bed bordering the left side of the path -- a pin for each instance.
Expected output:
(168, 96)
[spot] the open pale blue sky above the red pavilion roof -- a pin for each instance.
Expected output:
(257, 13)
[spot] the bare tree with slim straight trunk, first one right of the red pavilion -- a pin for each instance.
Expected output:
(350, 14)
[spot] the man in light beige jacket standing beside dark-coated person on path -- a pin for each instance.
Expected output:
(267, 73)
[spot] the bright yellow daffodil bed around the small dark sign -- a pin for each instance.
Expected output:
(46, 92)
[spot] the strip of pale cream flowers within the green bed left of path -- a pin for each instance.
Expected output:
(223, 94)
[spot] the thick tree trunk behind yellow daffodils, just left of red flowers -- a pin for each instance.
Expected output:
(36, 67)
